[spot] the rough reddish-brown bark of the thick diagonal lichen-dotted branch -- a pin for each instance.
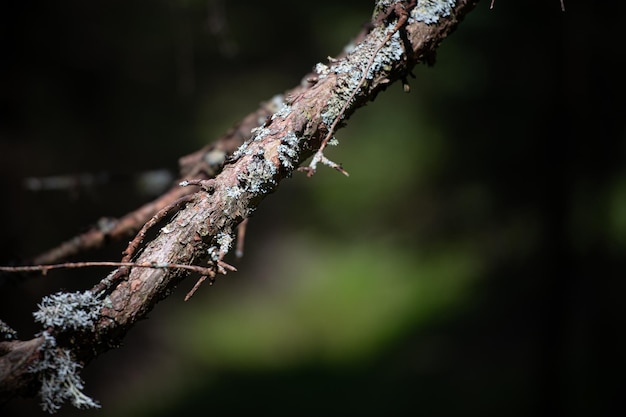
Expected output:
(205, 228)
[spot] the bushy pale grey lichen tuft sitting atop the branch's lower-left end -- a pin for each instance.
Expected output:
(69, 311)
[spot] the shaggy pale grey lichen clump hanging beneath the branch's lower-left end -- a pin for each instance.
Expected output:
(59, 375)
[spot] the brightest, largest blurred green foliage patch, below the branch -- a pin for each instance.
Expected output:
(335, 304)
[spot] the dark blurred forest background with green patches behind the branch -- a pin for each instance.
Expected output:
(472, 264)
